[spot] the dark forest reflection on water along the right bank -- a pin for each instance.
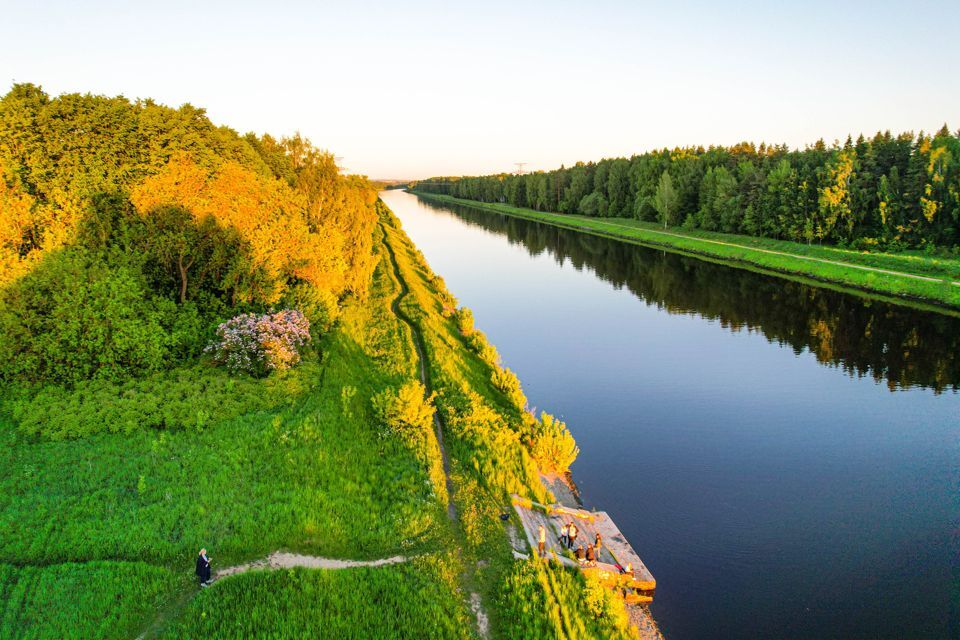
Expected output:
(903, 346)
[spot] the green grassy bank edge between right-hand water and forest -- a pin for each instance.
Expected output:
(914, 290)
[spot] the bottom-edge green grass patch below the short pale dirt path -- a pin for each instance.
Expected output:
(415, 601)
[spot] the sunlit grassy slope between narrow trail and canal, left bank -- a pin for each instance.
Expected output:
(525, 599)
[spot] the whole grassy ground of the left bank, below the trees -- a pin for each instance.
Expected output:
(98, 534)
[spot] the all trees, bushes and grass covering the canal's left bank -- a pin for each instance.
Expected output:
(126, 445)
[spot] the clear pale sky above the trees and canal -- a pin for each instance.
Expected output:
(418, 88)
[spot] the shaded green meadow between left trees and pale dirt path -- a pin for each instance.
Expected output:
(306, 477)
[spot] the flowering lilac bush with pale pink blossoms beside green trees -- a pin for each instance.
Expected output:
(259, 344)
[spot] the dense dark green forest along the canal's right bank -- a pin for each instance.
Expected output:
(887, 191)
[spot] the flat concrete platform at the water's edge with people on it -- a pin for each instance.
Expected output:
(638, 587)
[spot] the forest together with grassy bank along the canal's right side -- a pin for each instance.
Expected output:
(888, 203)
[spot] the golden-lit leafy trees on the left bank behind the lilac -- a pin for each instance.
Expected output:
(129, 229)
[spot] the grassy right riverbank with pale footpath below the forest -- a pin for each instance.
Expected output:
(907, 277)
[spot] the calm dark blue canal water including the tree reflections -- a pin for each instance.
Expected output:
(785, 458)
